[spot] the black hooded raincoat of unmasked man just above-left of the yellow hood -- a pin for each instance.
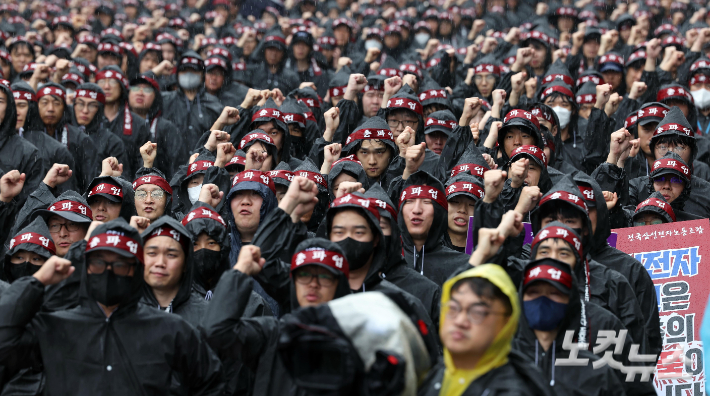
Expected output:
(435, 261)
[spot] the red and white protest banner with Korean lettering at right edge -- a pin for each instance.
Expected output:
(672, 254)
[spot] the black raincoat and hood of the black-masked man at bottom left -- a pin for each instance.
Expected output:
(140, 346)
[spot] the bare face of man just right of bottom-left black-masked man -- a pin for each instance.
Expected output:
(164, 263)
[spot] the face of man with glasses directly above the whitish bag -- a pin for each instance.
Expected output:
(315, 285)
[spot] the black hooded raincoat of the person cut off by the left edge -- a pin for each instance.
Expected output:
(17, 153)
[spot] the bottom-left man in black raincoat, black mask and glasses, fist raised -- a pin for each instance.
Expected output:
(144, 345)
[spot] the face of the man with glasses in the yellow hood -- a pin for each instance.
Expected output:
(459, 334)
